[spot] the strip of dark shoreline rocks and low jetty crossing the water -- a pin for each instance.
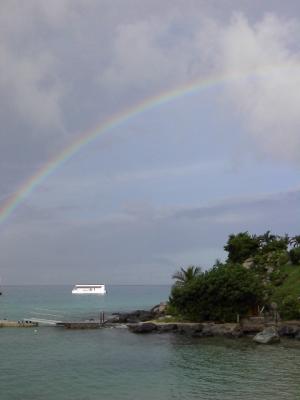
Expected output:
(144, 322)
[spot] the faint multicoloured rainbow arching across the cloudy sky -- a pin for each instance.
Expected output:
(112, 122)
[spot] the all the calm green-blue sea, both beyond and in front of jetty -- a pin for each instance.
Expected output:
(50, 363)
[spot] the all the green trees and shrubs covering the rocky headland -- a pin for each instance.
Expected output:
(261, 272)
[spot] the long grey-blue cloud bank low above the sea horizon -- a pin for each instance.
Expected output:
(138, 246)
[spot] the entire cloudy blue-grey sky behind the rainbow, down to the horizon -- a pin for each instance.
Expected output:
(165, 188)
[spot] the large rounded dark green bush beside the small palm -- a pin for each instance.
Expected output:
(218, 294)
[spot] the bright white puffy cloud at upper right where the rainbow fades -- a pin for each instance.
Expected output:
(268, 100)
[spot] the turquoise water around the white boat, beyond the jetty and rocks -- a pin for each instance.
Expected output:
(58, 303)
